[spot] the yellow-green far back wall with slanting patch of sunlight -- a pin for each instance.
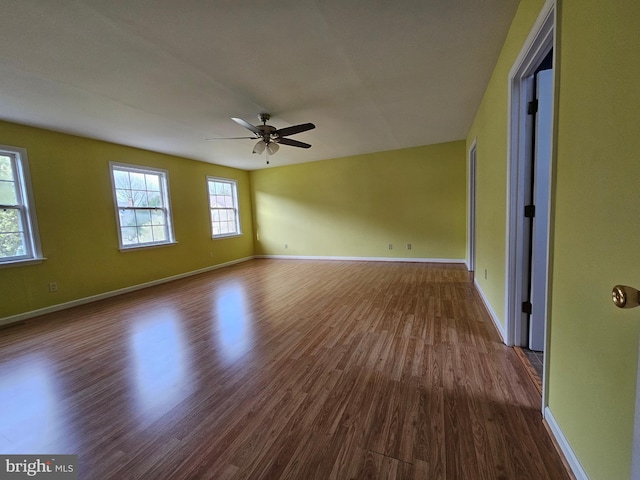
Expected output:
(357, 206)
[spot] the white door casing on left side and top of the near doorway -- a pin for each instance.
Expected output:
(540, 40)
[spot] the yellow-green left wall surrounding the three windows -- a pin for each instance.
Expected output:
(74, 204)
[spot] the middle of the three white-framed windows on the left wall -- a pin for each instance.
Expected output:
(141, 196)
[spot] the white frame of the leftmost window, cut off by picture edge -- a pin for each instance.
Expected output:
(25, 206)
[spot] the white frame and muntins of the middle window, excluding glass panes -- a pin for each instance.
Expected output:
(166, 206)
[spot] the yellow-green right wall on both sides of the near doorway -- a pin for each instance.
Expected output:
(593, 347)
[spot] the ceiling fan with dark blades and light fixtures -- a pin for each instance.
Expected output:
(270, 138)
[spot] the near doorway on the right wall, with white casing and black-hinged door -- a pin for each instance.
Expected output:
(529, 189)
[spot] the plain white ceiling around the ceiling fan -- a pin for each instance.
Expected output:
(163, 75)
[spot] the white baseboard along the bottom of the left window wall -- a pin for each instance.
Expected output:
(101, 296)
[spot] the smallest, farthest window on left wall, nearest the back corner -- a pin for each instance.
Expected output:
(223, 202)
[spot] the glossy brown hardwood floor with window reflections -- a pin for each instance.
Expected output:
(278, 369)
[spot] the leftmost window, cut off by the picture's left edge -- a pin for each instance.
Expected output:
(19, 240)
